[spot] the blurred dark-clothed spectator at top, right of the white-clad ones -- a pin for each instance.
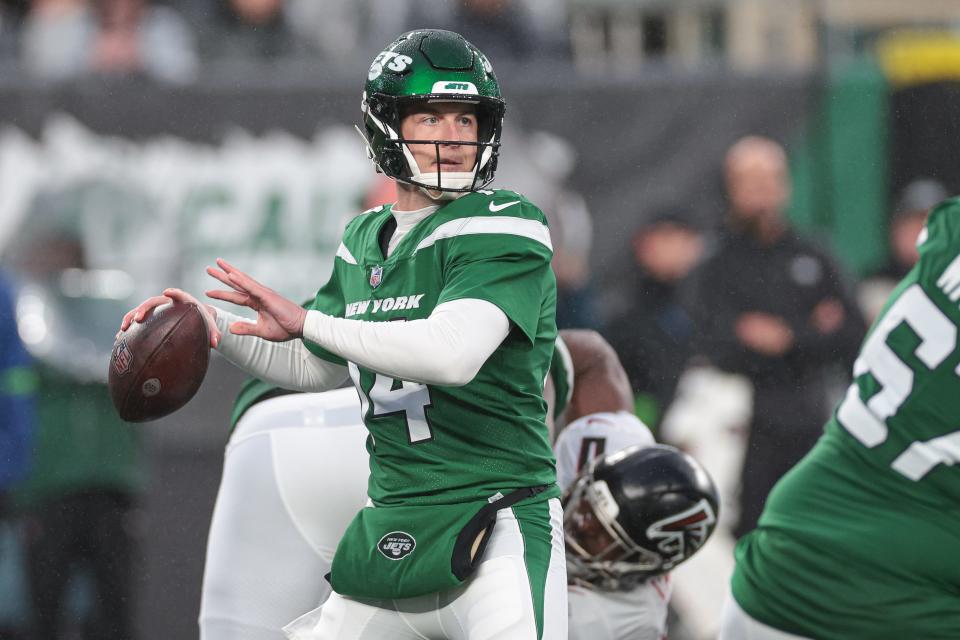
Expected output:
(251, 29)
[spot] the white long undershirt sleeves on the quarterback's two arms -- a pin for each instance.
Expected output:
(447, 348)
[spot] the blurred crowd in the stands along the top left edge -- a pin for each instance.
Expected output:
(171, 40)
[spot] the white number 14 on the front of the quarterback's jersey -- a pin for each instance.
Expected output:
(409, 398)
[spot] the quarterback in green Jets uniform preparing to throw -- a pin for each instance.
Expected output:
(441, 310)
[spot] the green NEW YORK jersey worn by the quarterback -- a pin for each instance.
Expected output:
(433, 444)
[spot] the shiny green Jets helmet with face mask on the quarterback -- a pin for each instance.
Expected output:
(431, 65)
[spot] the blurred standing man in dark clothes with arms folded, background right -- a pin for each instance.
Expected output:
(773, 307)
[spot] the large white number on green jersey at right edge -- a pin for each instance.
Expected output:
(867, 421)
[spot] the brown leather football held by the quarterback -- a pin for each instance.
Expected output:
(157, 365)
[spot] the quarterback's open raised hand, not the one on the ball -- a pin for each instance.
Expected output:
(278, 318)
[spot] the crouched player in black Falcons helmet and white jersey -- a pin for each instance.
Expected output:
(633, 509)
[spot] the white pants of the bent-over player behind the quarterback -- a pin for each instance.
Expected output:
(294, 475)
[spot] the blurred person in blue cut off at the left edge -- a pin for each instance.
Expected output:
(17, 388)
